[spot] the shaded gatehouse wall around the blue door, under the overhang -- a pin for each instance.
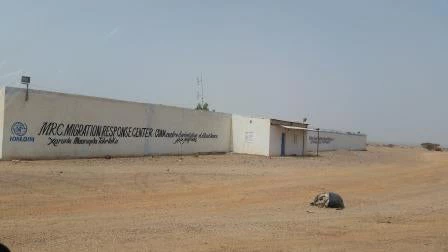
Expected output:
(293, 141)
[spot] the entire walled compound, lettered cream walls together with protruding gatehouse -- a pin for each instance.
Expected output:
(50, 125)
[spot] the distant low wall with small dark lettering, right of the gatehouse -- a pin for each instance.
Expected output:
(336, 141)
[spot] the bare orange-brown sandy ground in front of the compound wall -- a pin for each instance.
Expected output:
(396, 200)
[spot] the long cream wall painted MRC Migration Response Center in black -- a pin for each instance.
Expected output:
(56, 125)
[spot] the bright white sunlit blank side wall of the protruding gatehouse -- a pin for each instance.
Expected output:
(250, 135)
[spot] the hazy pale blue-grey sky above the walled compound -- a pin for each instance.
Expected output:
(379, 67)
